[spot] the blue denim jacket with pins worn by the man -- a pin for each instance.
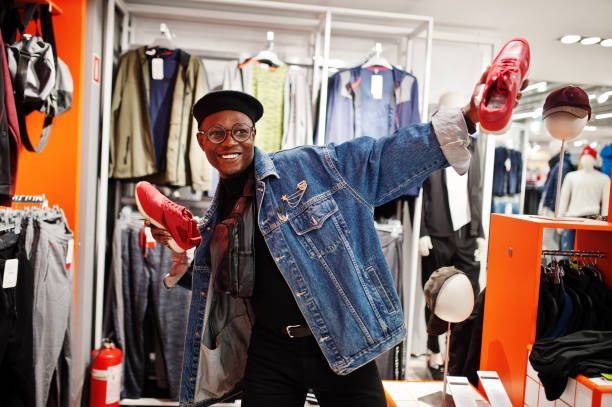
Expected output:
(326, 247)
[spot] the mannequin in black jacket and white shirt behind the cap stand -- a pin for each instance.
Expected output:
(451, 235)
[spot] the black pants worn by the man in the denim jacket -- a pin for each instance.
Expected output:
(280, 371)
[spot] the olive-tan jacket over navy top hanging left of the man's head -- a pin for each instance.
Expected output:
(153, 134)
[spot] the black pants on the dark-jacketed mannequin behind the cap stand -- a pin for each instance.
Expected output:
(455, 250)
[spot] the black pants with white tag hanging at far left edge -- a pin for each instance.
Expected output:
(16, 363)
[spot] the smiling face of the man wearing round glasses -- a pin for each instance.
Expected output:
(230, 157)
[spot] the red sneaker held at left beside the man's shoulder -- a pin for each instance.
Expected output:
(168, 215)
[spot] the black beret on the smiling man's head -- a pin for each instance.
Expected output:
(217, 101)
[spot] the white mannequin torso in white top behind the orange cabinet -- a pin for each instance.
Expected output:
(586, 191)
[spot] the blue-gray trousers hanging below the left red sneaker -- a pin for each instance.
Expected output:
(142, 275)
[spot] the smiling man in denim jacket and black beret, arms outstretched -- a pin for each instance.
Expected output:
(323, 306)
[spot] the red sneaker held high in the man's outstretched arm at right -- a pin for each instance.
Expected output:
(502, 85)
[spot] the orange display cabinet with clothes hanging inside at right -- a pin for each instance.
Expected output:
(513, 281)
